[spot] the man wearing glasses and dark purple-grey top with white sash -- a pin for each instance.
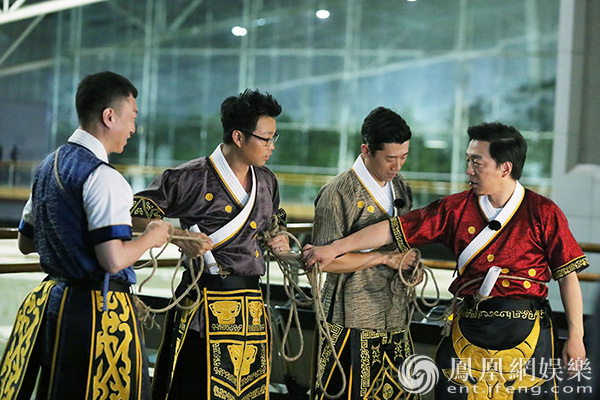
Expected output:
(219, 349)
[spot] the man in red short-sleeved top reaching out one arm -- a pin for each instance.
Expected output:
(497, 223)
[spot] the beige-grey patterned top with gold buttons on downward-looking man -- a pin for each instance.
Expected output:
(361, 299)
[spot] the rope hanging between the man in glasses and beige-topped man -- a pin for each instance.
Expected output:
(292, 267)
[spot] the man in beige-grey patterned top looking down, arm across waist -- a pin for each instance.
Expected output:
(368, 318)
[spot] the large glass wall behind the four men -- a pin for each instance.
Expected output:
(443, 65)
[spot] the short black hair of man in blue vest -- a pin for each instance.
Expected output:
(99, 91)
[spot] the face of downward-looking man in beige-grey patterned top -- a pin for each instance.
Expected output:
(385, 164)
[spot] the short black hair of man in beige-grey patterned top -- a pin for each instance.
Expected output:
(382, 126)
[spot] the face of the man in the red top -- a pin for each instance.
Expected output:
(485, 177)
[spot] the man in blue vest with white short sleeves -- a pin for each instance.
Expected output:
(77, 219)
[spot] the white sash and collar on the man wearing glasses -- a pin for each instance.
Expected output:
(227, 231)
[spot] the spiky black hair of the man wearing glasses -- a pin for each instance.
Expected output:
(242, 112)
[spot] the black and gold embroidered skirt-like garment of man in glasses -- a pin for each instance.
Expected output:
(235, 334)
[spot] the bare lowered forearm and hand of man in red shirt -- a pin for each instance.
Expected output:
(573, 354)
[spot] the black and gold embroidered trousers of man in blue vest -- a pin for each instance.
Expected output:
(83, 351)
